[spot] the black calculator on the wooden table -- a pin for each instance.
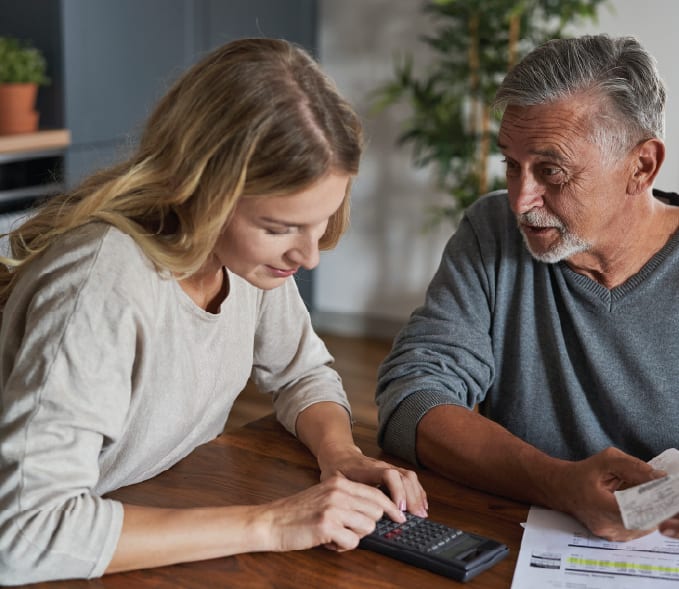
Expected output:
(435, 547)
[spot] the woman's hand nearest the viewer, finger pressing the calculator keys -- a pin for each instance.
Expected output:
(336, 513)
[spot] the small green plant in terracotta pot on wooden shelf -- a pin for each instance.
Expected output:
(22, 70)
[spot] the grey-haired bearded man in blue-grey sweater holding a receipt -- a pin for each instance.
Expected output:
(555, 309)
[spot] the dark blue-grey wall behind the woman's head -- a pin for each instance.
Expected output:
(110, 60)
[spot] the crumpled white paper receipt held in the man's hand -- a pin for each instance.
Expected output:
(643, 507)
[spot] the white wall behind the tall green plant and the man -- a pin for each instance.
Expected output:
(380, 270)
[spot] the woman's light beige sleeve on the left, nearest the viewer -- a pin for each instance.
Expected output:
(66, 350)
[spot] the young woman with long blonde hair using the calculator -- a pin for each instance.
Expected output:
(136, 307)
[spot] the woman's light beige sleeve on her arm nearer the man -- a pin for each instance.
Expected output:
(290, 360)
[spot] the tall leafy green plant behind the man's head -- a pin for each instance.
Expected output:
(474, 43)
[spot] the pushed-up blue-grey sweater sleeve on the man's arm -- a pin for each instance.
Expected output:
(444, 353)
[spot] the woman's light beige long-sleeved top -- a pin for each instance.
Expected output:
(110, 374)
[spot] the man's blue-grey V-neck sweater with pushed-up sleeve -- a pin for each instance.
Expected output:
(559, 360)
